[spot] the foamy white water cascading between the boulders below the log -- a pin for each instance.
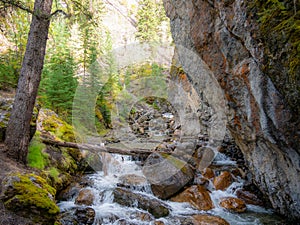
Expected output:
(108, 212)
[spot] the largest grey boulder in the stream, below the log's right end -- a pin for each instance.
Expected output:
(167, 174)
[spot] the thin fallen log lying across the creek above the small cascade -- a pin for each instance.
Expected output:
(97, 148)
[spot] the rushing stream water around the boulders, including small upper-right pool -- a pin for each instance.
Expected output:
(102, 184)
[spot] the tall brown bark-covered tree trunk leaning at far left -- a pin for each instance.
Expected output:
(18, 129)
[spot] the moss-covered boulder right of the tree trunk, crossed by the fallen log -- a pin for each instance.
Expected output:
(58, 163)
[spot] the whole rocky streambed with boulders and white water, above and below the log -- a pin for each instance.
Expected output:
(196, 183)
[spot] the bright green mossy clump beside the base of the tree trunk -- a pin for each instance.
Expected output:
(36, 158)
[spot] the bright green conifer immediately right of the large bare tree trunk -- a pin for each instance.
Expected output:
(59, 83)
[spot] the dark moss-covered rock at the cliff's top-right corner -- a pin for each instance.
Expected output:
(279, 30)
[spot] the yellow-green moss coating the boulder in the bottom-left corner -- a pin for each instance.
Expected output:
(32, 191)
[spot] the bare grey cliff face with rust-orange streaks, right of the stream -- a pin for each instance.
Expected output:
(224, 35)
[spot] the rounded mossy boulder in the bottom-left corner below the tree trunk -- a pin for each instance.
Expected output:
(29, 195)
